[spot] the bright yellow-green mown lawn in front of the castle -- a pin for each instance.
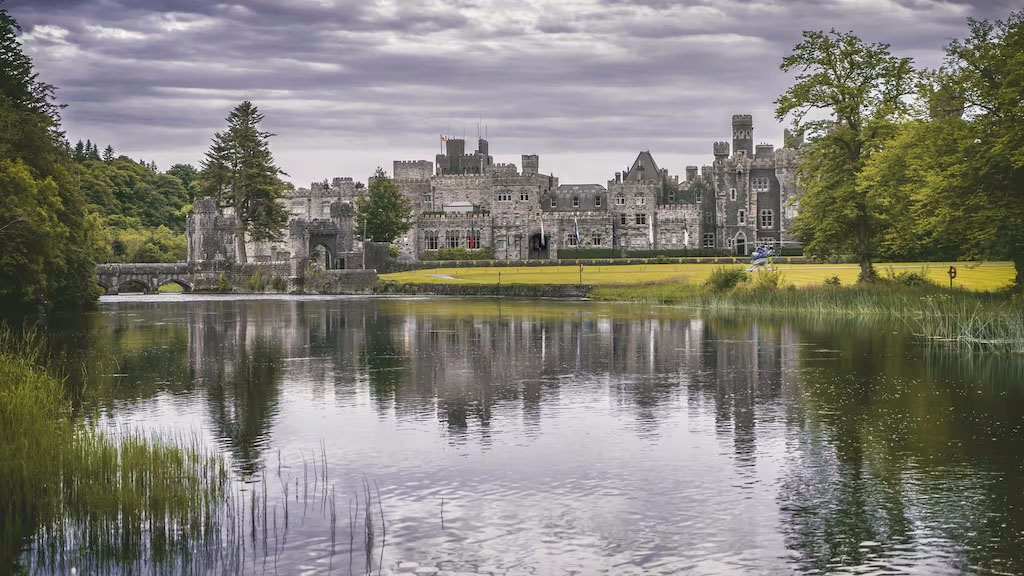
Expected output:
(989, 276)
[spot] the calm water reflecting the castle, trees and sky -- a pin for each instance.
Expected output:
(575, 438)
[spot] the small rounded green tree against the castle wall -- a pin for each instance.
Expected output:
(383, 215)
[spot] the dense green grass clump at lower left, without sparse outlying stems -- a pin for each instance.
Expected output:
(80, 498)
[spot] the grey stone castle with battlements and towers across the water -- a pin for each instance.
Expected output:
(746, 198)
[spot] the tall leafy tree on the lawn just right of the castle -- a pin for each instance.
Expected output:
(861, 90)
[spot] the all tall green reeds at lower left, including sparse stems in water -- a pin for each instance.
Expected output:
(74, 497)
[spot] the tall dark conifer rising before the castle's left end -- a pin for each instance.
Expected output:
(239, 171)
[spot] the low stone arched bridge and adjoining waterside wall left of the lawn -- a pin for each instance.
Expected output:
(252, 277)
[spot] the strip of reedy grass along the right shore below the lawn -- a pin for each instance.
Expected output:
(984, 320)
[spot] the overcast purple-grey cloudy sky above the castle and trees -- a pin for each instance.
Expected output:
(349, 86)
